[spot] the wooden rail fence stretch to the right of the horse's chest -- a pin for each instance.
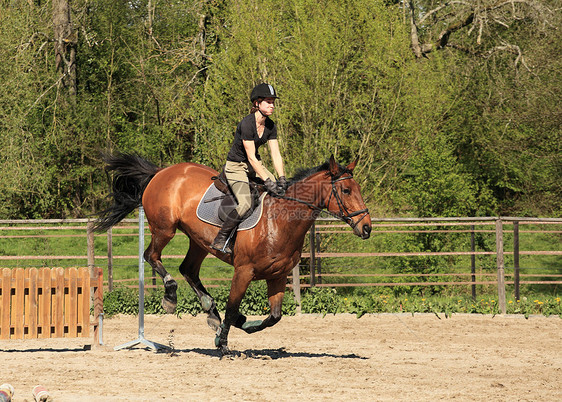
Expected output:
(441, 225)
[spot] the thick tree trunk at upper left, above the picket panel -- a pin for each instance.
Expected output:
(65, 45)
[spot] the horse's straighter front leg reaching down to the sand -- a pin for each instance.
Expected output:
(240, 282)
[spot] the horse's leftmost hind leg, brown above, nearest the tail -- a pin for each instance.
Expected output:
(153, 254)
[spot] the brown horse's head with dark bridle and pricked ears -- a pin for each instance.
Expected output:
(344, 199)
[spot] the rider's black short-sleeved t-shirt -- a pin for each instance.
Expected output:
(247, 130)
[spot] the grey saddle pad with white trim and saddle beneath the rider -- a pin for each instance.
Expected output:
(219, 200)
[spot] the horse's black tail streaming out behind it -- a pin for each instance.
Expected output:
(132, 175)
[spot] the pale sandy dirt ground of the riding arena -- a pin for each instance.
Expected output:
(306, 357)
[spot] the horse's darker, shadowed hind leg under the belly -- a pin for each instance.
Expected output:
(190, 268)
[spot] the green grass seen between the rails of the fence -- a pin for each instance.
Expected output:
(72, 242)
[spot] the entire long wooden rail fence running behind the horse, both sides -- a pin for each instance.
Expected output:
(314, 257)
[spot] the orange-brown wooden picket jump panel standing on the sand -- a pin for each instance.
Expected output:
(50, 303)
